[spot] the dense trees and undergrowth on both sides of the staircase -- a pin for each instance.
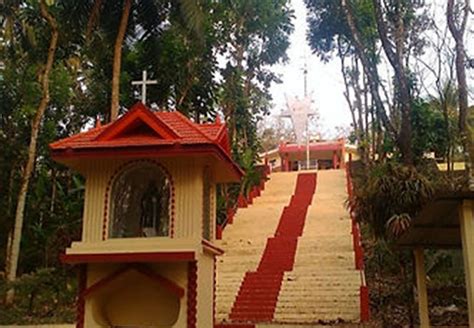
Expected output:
(66, 64)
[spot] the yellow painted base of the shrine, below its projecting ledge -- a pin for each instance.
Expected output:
(135, 300)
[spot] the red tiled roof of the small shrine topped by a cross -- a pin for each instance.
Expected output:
(141, 131)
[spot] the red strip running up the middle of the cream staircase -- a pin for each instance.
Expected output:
(258, 294)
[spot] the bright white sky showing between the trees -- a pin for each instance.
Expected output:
(324, 80)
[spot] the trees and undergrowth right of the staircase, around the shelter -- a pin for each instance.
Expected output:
(388, 51)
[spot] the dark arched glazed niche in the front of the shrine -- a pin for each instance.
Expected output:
(140, 202)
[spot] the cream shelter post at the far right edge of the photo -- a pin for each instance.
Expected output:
(466, 222)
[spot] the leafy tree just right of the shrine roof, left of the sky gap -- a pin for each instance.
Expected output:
(255, 35)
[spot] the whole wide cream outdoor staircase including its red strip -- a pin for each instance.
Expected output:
(320, 286)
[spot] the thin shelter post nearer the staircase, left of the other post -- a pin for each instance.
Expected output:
(423, 309)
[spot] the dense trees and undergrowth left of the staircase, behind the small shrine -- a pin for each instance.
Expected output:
(66, 64)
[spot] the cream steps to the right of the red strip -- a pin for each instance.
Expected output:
(324, 285)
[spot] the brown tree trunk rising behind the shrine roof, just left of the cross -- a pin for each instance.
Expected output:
(118, 60)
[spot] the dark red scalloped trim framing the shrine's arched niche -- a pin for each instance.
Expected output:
(121, 170)
